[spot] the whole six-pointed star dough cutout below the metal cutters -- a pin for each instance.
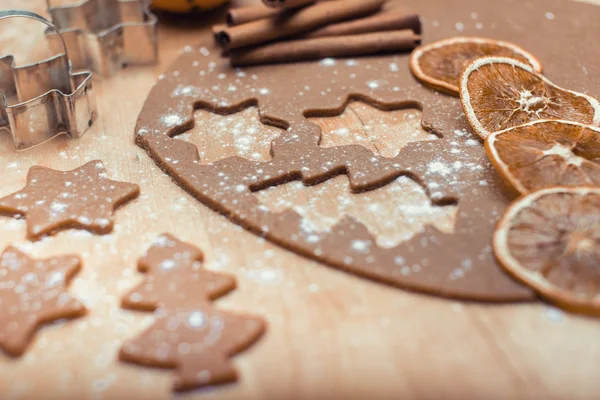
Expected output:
(83, 198)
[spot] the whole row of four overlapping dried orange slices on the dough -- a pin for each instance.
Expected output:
(544, 141)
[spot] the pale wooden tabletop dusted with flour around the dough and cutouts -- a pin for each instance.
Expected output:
(330, 335)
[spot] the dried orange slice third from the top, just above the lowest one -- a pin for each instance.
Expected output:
(546, 153)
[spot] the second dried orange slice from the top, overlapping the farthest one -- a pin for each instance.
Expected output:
(498, 93)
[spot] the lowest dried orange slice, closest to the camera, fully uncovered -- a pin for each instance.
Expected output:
(550, 240)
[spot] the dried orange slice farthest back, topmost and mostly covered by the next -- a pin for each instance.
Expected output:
(439, 64)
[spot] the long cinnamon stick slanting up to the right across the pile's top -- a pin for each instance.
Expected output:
(291, 23)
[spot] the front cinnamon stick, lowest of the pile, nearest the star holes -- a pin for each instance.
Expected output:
(333, 46)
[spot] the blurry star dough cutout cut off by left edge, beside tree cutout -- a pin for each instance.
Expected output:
(33, 292)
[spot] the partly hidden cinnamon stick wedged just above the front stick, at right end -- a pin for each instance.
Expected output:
(387, 20)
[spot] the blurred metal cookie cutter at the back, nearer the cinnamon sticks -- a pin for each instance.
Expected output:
(104, 35)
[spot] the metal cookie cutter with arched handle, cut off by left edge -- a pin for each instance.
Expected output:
(44, 99)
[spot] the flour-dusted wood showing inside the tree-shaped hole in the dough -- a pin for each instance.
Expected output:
(393, 213)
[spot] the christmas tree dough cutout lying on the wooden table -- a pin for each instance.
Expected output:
(189, 334)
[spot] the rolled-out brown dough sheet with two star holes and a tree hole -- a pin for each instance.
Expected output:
(453, 169)
